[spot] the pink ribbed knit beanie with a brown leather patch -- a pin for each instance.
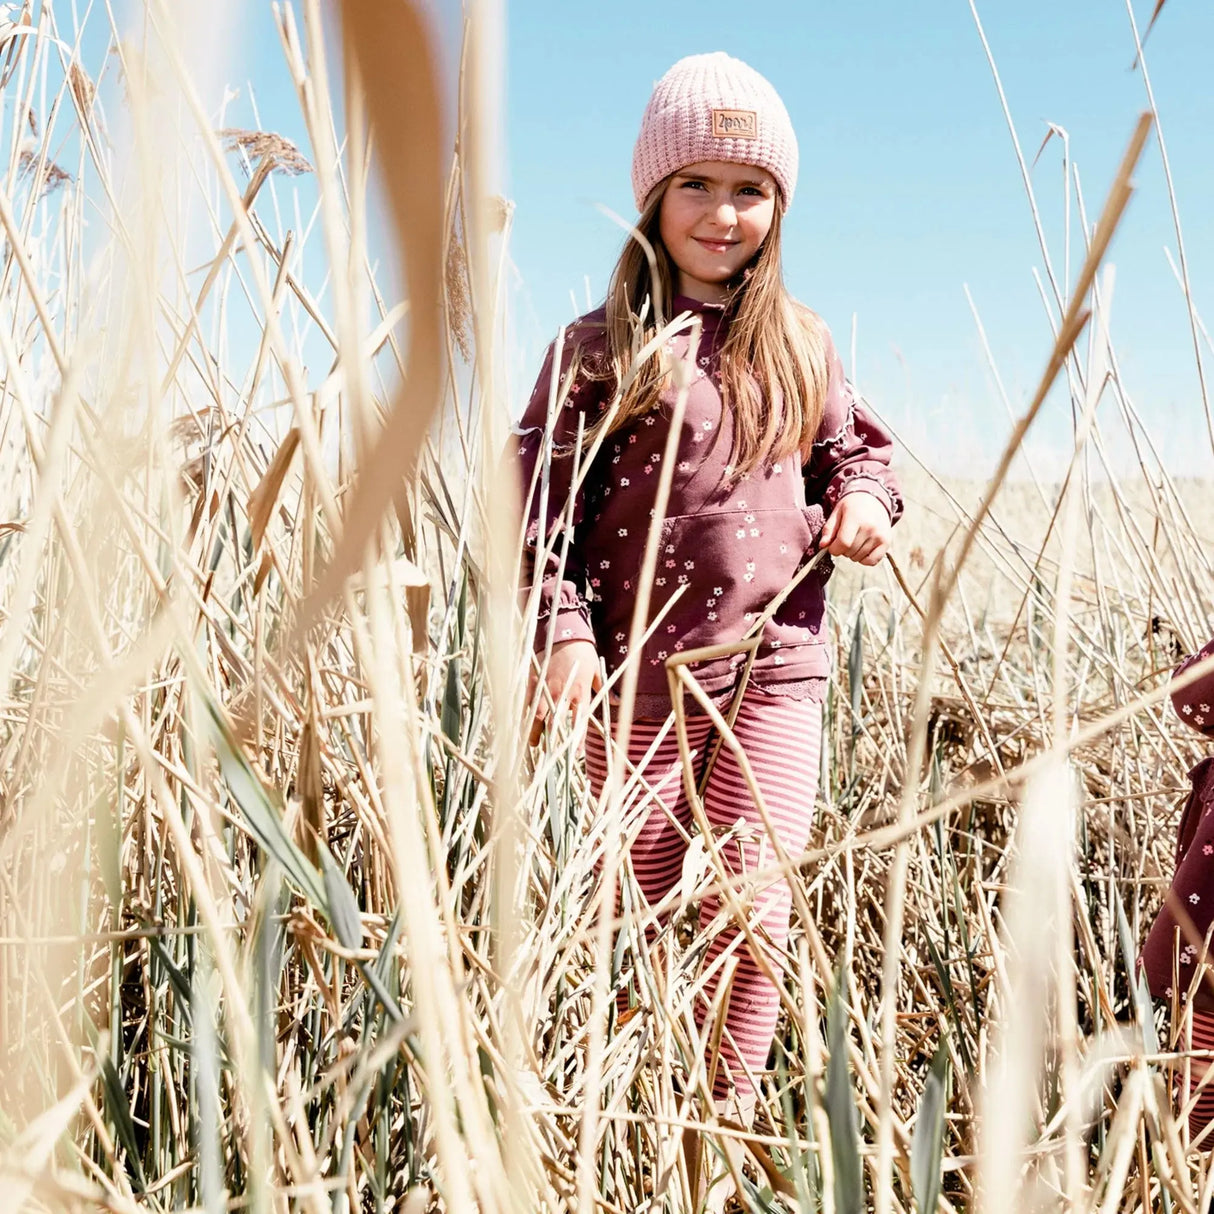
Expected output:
(713, 107)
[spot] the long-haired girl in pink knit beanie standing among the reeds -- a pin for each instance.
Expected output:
(778, 458)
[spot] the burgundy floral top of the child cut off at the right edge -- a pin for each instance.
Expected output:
(1190, 903)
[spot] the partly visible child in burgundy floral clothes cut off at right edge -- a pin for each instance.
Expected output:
(1173, 955)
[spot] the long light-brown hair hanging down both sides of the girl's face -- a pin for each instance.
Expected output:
(774, 364)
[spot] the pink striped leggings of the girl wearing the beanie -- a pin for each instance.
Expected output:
(782, 741)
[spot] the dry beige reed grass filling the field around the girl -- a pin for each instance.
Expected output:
(290, 918)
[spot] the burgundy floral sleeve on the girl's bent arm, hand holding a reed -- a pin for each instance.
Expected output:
(852, 453)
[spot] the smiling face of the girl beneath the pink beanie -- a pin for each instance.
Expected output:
(714, 218)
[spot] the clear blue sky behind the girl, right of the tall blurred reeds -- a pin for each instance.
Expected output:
(909, 188)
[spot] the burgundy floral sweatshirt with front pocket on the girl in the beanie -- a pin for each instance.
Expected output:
(733, 543)
